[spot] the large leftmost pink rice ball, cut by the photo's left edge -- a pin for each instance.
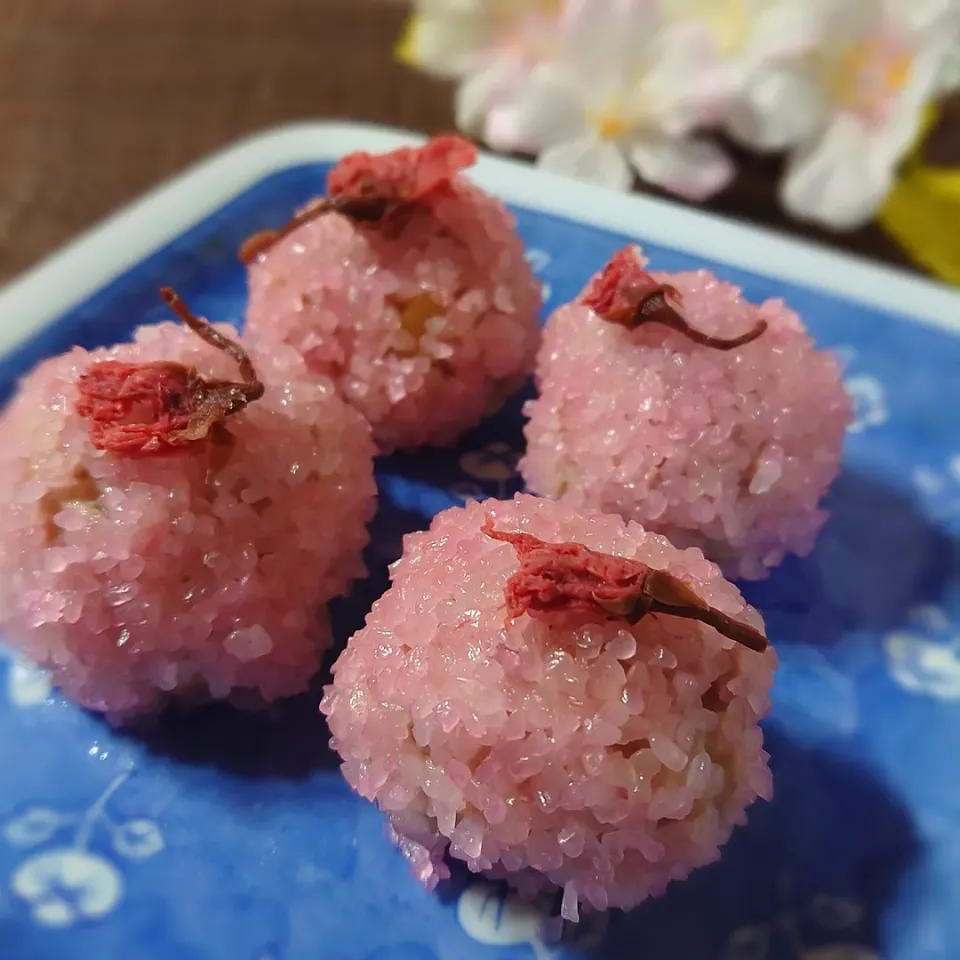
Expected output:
(201, 570)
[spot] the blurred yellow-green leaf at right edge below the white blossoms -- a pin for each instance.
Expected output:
(922, 213)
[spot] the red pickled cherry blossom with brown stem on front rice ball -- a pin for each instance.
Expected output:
(569, 578)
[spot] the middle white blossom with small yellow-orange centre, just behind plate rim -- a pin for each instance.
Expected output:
(623, 94)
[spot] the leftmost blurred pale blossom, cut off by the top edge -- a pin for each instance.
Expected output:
(489, 45)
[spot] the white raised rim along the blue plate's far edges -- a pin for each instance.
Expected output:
(97, 256)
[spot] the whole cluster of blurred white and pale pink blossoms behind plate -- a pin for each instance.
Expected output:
(603, 89)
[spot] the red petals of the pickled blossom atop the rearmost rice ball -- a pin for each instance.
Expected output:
(407, 175)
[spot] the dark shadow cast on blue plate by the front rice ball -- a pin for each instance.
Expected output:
(817, 867)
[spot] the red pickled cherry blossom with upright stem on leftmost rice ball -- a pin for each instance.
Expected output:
(146, 408)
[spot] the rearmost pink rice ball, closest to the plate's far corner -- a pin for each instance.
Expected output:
(426, 321)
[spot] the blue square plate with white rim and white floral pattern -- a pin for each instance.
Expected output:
(228, 836)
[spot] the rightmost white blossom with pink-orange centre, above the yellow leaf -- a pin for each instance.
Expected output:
(854, 107)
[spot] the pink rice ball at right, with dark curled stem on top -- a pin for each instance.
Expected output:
(730, 451)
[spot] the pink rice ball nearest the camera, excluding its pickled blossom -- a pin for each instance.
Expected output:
(576, 753)
